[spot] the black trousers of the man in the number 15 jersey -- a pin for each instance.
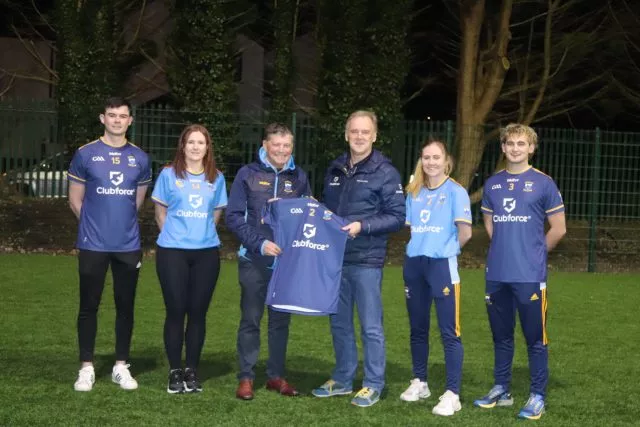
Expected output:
(92, 268)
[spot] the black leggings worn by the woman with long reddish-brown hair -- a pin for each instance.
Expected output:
(188, 278)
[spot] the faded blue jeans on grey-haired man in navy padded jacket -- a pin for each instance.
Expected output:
(361, 286)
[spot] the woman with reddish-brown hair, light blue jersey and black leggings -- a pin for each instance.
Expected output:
(189, 196)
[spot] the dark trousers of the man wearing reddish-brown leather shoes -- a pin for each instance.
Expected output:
(254, 280)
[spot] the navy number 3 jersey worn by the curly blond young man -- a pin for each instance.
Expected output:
(518, 205)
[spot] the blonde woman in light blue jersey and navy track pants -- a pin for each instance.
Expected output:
(439, 214)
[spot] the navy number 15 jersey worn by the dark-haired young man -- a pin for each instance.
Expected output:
(111, 176)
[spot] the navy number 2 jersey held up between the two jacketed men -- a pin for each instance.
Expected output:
(306, 278)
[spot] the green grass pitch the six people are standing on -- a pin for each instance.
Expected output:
(594, 345)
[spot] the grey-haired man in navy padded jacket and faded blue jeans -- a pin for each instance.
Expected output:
(363, 188)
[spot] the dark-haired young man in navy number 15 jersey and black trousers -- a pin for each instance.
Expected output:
(108, 179)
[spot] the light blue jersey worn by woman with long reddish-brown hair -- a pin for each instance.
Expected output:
(190, 203)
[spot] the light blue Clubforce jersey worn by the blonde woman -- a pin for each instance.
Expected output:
(433, 217)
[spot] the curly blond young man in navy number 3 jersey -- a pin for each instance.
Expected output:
(515, 204)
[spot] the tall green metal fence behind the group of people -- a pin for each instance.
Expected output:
(597, 171)
